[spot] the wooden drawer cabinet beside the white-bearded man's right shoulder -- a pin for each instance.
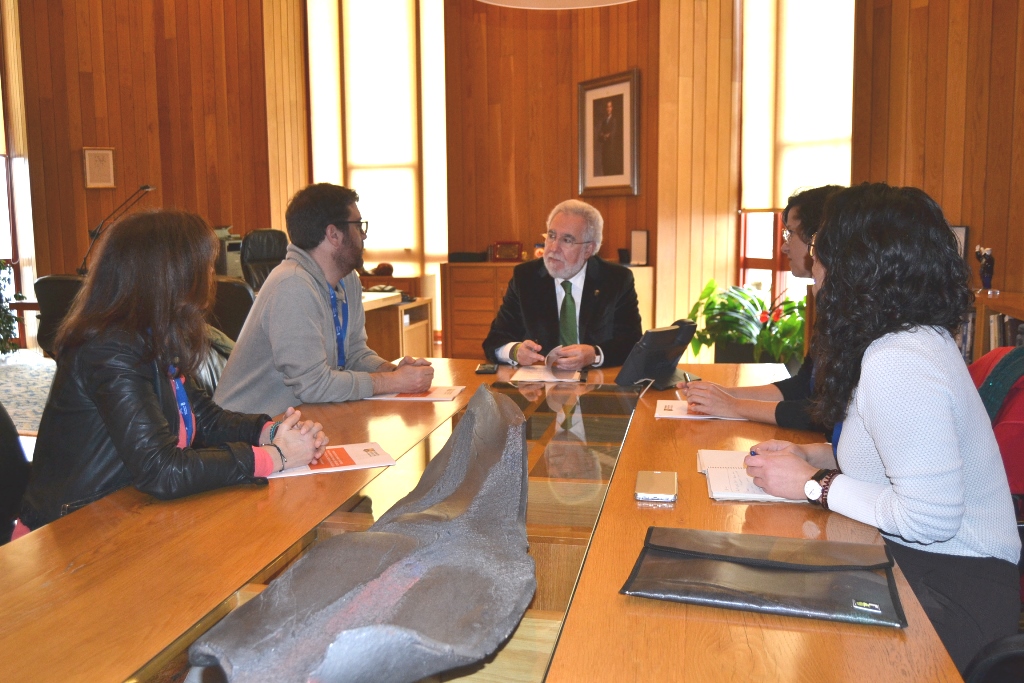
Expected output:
(472, 295)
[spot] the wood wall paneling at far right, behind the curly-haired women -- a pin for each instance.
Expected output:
(953, 71)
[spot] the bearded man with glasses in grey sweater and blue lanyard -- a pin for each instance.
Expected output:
(306, 339)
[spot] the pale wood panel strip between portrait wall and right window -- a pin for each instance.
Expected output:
(698, 206)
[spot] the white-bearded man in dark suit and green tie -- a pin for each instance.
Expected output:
(596, 324)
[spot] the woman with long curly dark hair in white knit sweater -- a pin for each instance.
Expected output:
(913, 452)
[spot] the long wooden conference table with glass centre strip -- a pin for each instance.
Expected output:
(119, 589)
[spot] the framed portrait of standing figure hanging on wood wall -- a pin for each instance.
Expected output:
(610, 135)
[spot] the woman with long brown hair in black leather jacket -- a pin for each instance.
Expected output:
(121, 411)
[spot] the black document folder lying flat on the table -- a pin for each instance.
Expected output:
(840, 582)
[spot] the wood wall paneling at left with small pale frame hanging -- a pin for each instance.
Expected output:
(178, 89)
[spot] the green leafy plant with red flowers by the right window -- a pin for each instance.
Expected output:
(737, 317)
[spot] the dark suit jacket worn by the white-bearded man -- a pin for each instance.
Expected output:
(610, 317)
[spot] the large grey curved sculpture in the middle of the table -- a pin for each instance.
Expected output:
(440, 582)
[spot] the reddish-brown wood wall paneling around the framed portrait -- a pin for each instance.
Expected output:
(513, 117)
